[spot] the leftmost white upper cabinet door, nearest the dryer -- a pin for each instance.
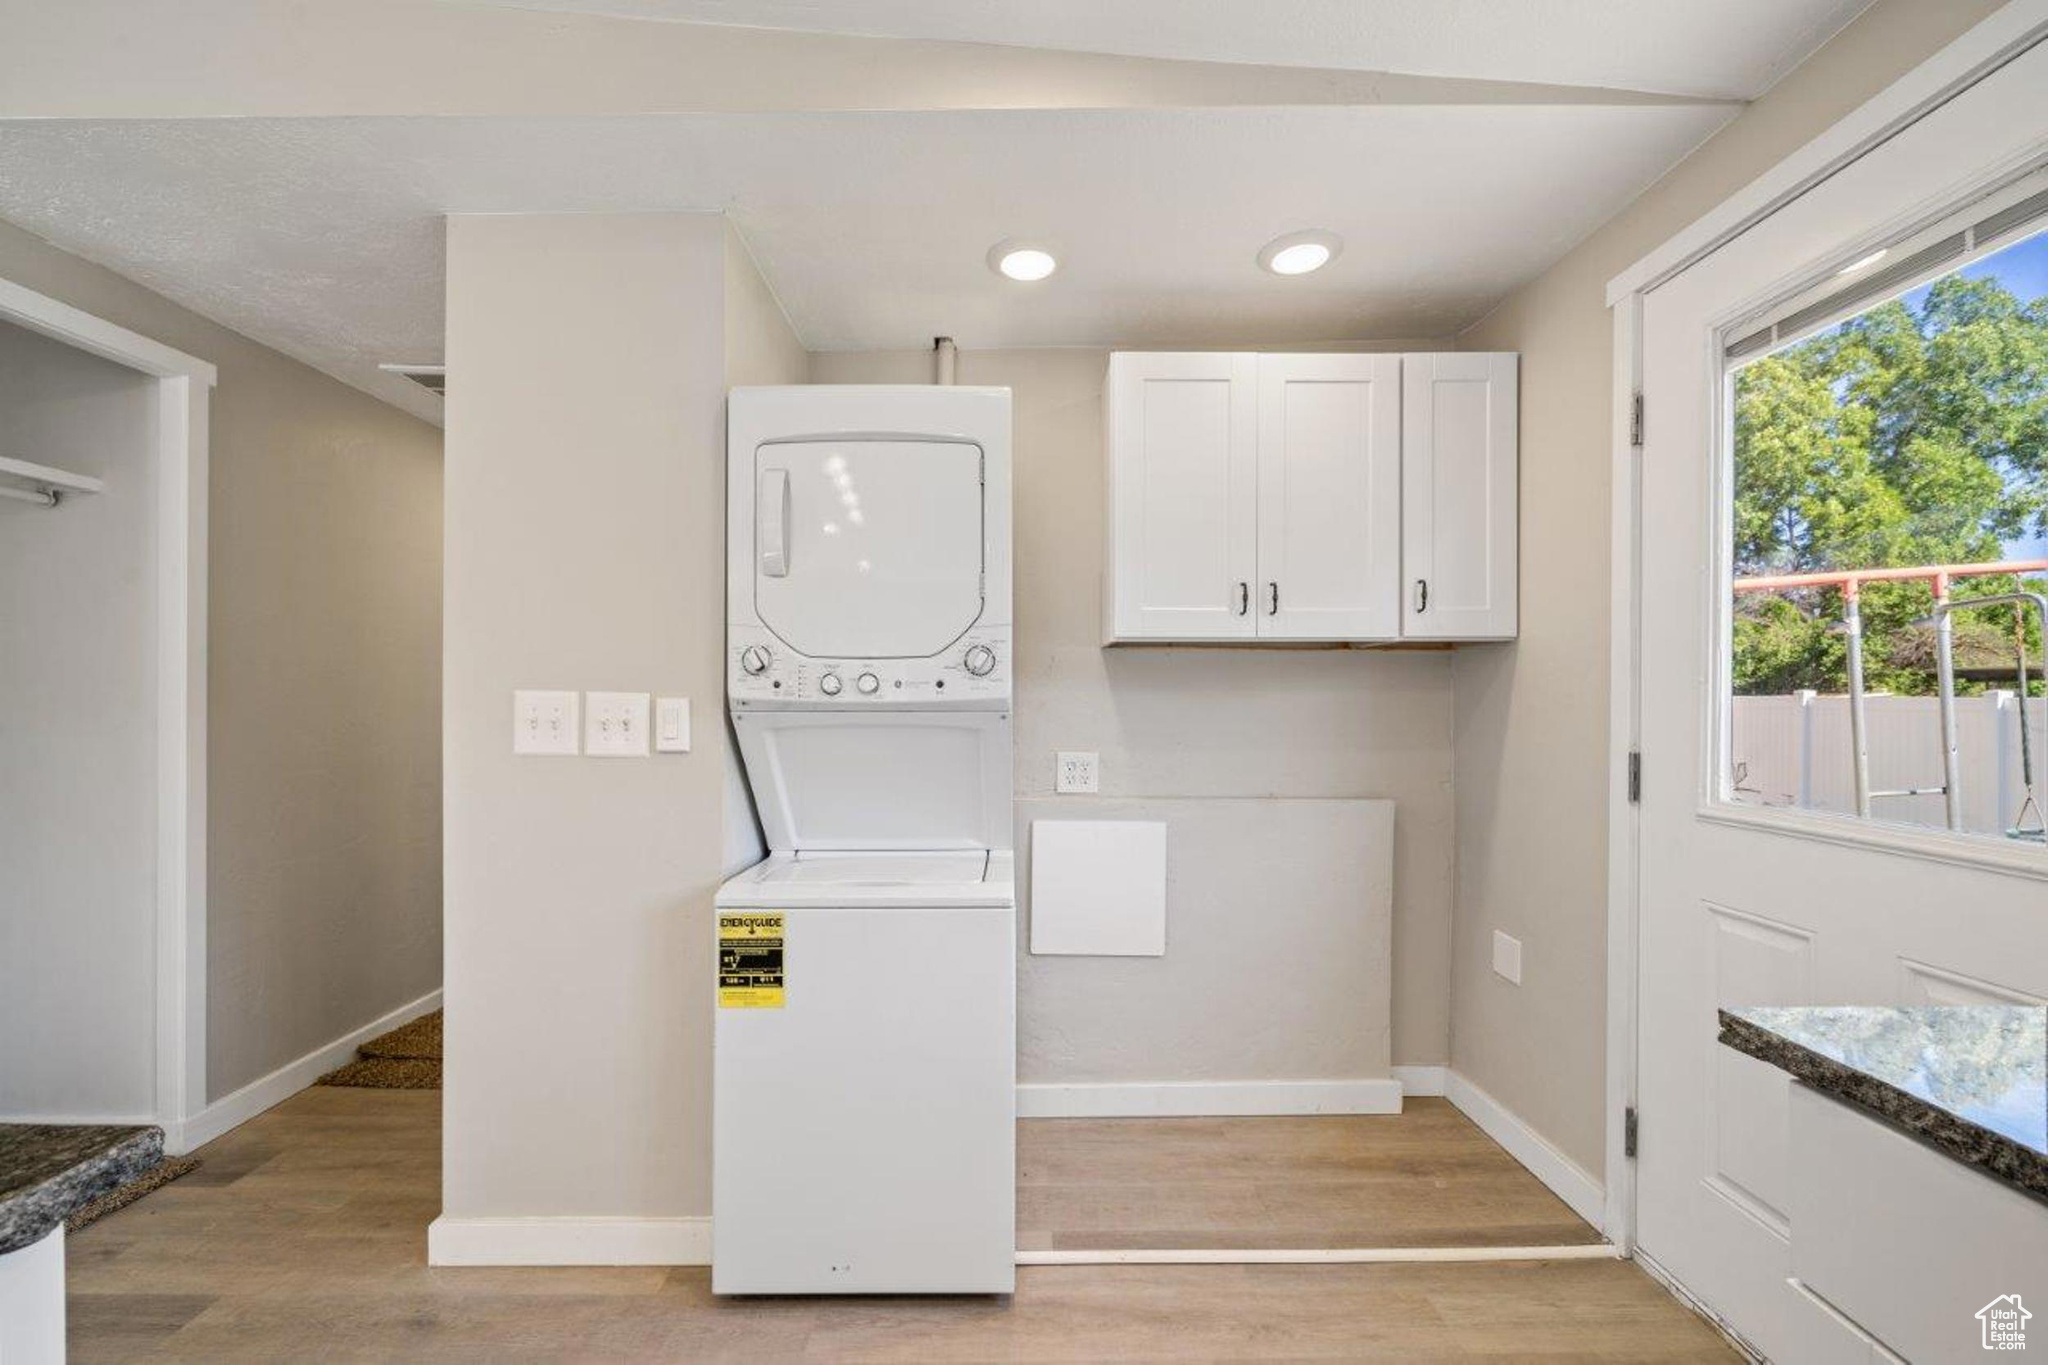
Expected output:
(1183, 496)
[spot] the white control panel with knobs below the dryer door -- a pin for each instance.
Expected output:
(765, 672)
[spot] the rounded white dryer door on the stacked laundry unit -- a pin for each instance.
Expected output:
(867, 549)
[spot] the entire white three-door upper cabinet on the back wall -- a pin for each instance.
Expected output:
(1310, 498)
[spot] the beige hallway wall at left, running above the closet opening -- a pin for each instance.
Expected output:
(325, 756)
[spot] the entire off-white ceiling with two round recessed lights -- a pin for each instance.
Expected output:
(286, 167)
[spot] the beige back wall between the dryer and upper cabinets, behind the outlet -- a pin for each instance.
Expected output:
(1201, 721)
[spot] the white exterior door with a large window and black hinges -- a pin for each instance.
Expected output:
(1746, 906)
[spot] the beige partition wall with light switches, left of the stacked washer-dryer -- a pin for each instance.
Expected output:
(589, 359)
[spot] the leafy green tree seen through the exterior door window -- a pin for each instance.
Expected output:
(1910, 435)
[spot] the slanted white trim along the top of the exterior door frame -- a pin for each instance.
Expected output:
(1973, 56)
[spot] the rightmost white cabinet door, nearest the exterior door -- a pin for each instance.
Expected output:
(1459, 496)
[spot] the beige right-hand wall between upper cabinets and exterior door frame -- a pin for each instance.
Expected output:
(1531, 719)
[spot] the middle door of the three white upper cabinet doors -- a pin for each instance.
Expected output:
(1330, 498)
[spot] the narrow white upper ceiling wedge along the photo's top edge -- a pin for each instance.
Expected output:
(1703, 48)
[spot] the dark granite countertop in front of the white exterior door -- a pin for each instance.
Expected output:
(1969, 1080)
